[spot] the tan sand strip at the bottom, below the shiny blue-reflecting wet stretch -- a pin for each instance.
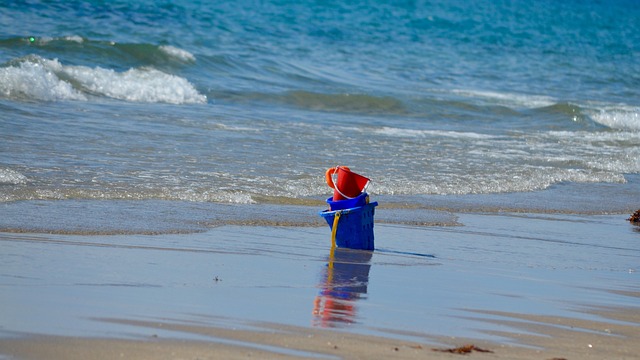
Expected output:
(548, 338)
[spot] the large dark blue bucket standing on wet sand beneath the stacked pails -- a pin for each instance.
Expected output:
(355, 226)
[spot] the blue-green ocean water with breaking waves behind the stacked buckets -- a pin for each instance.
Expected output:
(119, 106)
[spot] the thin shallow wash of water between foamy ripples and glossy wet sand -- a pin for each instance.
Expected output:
(157, 217)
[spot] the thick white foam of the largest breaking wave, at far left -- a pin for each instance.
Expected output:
(41, 79)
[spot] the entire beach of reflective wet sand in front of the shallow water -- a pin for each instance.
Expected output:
(523, 286)
